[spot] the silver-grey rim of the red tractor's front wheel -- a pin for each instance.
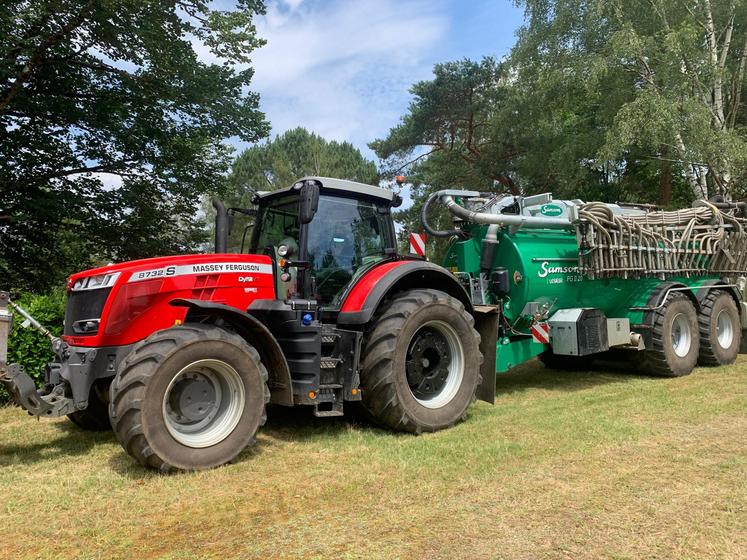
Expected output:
(203, 403)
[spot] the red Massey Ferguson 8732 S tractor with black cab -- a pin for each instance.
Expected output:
(180, 355)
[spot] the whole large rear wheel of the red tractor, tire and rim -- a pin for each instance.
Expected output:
(421, 363)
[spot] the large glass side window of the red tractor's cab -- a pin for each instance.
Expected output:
(344, 236)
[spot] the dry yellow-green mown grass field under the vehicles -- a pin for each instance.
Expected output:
(565, 465)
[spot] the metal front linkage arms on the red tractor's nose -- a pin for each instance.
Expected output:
(50, 401)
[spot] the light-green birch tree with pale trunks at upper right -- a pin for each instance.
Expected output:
(660, 80)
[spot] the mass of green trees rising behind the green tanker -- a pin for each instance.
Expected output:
(631, 101)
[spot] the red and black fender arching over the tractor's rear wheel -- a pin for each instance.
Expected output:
(364, 298)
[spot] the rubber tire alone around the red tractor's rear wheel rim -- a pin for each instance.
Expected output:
(386, 394)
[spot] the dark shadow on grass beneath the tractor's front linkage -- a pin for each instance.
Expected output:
(72, 442)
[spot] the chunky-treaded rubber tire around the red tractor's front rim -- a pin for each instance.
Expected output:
(155, 367)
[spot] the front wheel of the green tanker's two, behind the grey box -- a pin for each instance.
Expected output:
(675, 339)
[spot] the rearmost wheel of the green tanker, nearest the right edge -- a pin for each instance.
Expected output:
(720, 329)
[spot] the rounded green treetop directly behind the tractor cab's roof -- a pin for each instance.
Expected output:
(279, 162)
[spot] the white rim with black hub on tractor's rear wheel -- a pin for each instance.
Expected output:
(434, 364)
